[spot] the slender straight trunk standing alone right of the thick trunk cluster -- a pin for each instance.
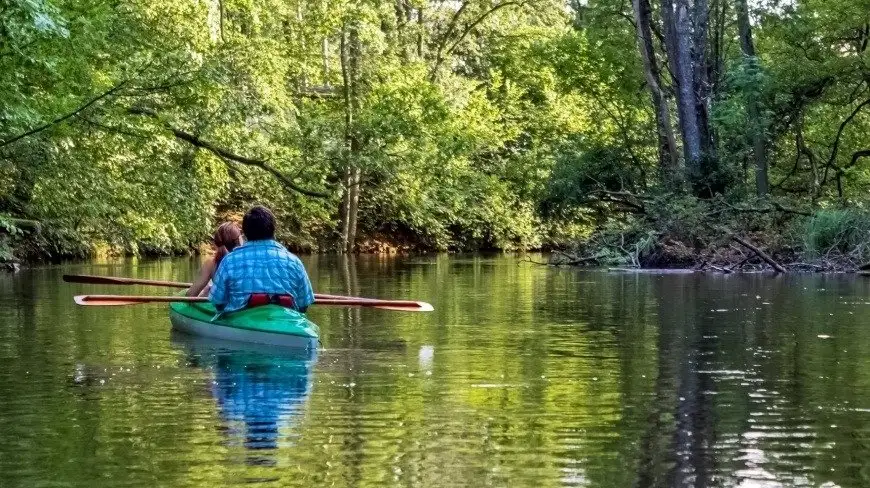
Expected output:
(756, 125)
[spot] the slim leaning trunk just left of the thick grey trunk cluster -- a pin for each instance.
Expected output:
(668, 155)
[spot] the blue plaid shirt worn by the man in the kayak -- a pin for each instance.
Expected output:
(260, 267)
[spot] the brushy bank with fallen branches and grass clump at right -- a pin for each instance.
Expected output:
(719, 237)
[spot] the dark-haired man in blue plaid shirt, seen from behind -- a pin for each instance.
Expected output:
(261, 271)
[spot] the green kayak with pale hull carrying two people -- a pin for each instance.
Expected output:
(267, 324)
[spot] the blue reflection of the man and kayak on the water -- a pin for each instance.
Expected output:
(259, 390)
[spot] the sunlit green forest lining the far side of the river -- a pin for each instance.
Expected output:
(632, 132)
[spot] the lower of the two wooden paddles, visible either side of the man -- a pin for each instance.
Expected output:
(113, 300)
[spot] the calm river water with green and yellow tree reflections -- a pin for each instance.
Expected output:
(524, 376)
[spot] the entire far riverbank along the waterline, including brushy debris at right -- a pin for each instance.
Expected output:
(665, 232)
